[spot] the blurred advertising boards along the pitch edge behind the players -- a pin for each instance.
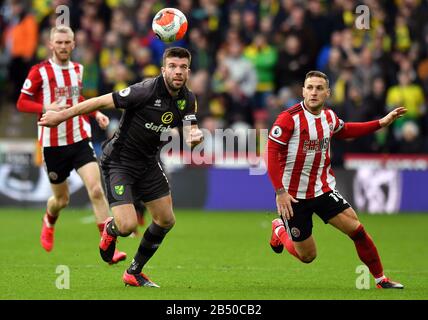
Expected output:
(230, 181)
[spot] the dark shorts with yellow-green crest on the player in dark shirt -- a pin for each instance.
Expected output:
(125, 186)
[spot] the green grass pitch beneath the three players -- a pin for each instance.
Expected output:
(209, 255)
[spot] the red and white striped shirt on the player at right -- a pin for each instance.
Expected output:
(305, 155)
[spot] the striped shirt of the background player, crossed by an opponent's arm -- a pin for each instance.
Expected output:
(48, 82)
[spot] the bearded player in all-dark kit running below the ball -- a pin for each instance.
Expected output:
(129, 163)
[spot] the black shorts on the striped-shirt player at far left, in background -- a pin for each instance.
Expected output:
(60, 161)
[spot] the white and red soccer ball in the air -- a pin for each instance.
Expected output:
(169, 24)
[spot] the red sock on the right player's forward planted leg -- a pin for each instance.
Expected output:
(367, 251)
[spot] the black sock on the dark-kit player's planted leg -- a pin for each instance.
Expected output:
(150, 242)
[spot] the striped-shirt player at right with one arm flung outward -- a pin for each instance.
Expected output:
(299, 166)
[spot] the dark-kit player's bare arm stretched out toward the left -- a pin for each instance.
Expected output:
(53, 118)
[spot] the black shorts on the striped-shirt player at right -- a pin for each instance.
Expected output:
(326, 206)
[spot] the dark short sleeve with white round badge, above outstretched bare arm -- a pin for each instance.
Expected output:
(133, 96)
